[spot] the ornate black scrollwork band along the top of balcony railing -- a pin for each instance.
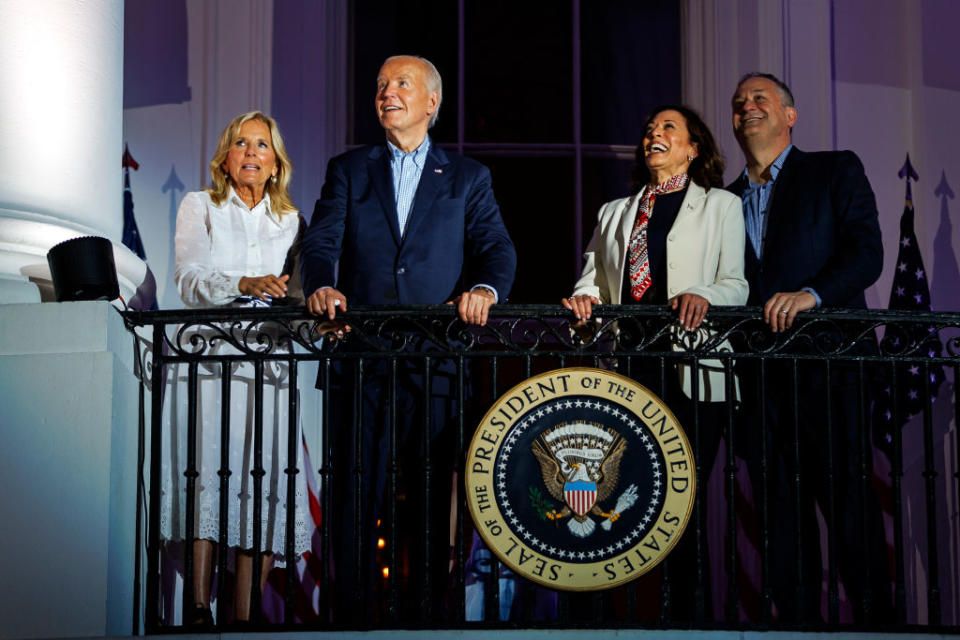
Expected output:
(549, 329)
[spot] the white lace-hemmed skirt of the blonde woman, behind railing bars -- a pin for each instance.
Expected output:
(240, 494)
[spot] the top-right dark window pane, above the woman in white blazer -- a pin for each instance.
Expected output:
(631, 63)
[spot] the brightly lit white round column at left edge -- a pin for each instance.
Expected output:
(61, 69)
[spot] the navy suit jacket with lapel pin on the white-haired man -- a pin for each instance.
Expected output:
(455, 237)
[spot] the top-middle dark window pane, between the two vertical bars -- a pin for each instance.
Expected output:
(518, 71)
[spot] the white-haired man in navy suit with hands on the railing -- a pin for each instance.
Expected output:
(396, 224)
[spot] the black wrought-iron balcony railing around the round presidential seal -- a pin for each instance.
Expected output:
(428, 378)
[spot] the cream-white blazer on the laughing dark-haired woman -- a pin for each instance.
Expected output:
(705, 250)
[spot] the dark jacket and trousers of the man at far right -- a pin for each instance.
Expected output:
(822, 233)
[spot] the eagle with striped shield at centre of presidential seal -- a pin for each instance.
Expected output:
(580, 466)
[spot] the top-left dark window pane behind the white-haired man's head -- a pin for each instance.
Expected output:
(425, 28)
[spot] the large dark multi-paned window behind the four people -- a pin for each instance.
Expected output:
(549, 95)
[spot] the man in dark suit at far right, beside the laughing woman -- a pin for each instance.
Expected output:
(813, 241)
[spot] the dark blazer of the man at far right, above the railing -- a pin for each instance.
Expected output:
(822, 232)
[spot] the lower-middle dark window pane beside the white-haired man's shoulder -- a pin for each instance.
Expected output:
(536, 201)
